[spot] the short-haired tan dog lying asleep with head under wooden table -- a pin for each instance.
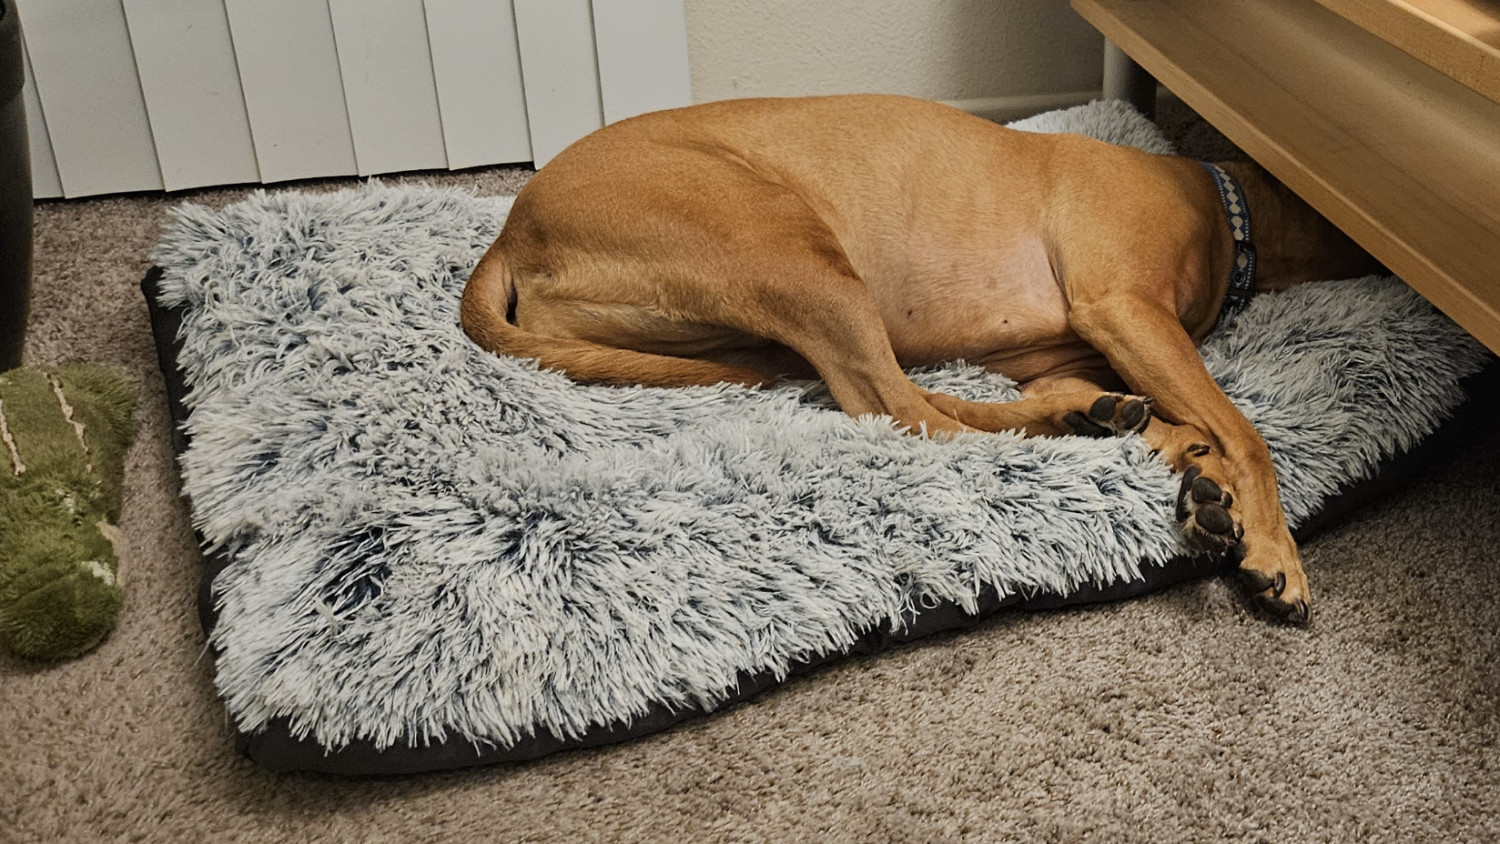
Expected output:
(857, 236)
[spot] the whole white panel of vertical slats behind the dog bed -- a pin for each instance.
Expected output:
(149, 95)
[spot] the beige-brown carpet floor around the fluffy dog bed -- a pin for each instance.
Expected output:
(1177, 717)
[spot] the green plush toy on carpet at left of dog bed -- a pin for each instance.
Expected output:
(64, 432)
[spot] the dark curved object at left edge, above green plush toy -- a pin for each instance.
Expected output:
(16, 193)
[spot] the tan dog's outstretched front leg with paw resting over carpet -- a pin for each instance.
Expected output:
(1148, 347)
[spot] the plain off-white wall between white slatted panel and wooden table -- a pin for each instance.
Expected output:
(947, 50)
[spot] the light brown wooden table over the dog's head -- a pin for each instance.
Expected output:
(1384, 115)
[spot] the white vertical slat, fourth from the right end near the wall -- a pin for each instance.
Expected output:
(388, 85)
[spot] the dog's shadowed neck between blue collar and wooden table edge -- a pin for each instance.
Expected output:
(1295, 244)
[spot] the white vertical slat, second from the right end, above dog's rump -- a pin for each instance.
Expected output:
(560, 73)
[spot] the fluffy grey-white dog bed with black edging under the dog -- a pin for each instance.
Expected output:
(422, 555)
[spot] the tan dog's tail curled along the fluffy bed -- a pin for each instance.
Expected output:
(490, 299)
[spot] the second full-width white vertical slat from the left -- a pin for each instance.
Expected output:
(193, 92)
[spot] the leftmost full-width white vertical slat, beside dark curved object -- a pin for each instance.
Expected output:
(89, 89)
